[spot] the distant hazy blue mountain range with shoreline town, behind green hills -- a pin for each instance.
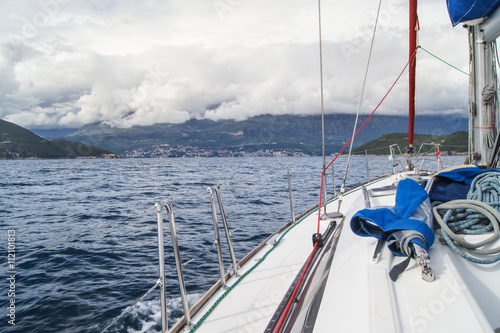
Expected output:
(288, 134)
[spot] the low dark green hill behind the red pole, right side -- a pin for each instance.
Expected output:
(456, 142)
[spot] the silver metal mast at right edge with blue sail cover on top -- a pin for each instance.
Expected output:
(482, 19)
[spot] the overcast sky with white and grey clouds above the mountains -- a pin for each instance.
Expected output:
(65, 63)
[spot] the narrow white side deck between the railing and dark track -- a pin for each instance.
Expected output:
(250, 306)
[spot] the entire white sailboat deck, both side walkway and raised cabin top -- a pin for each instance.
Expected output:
(359, 295)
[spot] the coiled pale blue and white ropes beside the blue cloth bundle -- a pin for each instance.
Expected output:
(477, 215)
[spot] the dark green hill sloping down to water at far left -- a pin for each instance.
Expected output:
(17, 142)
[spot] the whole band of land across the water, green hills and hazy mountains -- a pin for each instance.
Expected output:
(264, 135)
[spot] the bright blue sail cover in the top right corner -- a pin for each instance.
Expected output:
(466, 10)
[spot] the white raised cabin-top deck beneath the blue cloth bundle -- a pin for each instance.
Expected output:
(360, 296)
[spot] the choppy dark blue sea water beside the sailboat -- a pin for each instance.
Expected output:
(84, 284)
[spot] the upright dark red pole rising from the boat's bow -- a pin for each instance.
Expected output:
(413, 27)
